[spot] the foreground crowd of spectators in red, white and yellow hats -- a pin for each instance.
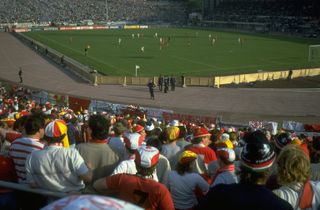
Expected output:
(149, 162)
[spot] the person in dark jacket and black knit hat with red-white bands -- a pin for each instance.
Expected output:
(257, 158)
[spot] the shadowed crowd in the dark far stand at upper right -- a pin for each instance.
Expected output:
(280, 16)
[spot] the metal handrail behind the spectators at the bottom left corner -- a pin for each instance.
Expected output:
(25, 187)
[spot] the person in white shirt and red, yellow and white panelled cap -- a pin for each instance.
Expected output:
(56, 168)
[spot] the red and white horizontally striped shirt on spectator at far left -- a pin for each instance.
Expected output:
(19, 150)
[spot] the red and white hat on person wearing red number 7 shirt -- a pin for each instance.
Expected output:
(147, 156)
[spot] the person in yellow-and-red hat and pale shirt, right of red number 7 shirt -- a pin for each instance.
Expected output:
(183, 184)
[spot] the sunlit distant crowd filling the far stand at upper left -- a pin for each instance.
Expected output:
(77, 10)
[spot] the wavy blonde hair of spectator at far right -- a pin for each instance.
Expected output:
(293, 165)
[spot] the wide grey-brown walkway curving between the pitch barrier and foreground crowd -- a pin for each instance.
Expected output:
(232, 104)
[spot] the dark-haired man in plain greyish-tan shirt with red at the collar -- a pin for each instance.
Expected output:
(97, 152)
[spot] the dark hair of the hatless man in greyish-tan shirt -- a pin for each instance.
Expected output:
(99, 127)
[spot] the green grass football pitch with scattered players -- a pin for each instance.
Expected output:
(189, 51)
